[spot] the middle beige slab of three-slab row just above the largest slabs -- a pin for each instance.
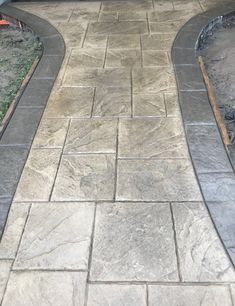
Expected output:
(85, 177)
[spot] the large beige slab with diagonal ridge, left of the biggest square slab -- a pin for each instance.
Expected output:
(56, 237)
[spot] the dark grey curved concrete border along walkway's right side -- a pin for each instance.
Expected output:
(211, 162)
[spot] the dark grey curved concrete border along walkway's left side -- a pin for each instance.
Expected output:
(16, 140)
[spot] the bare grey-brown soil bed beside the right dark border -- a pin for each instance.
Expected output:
(218, 52)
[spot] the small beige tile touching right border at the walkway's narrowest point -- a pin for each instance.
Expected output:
(155, 58)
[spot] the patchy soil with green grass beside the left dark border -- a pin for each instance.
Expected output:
(18, 50)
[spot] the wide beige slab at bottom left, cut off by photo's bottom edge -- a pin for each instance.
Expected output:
(45, 288)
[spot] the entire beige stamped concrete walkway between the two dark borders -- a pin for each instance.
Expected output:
(108, 210)
